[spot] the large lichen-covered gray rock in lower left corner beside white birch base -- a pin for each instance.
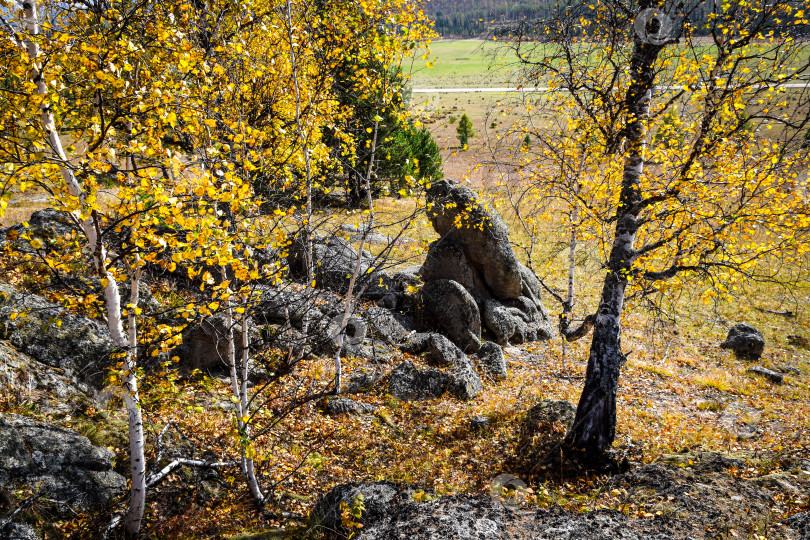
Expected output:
(75, 475)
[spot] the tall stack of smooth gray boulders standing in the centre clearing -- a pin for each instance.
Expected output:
(473, 280)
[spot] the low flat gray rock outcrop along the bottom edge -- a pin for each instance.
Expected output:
(392, 513)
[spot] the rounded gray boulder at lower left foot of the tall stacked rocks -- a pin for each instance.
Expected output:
(453, 309)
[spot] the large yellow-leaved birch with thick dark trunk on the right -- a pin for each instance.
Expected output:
(694, 148)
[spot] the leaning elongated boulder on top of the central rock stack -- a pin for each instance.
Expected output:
(482, 234)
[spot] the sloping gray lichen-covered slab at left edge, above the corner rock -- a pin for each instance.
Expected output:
(51, 335)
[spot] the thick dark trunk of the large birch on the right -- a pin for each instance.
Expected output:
(594, 428)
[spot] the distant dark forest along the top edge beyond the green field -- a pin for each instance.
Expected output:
(479, 18)
